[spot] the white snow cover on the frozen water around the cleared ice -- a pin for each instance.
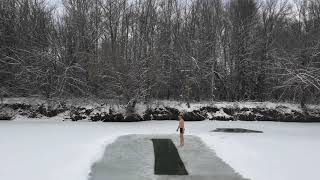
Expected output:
(55, 150)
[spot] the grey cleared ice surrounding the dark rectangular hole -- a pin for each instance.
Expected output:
(131, 157)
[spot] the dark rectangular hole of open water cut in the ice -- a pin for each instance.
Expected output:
(167, 159)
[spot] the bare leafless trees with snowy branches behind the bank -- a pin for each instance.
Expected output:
(162, 49)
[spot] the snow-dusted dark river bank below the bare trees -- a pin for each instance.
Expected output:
(110, 110)
